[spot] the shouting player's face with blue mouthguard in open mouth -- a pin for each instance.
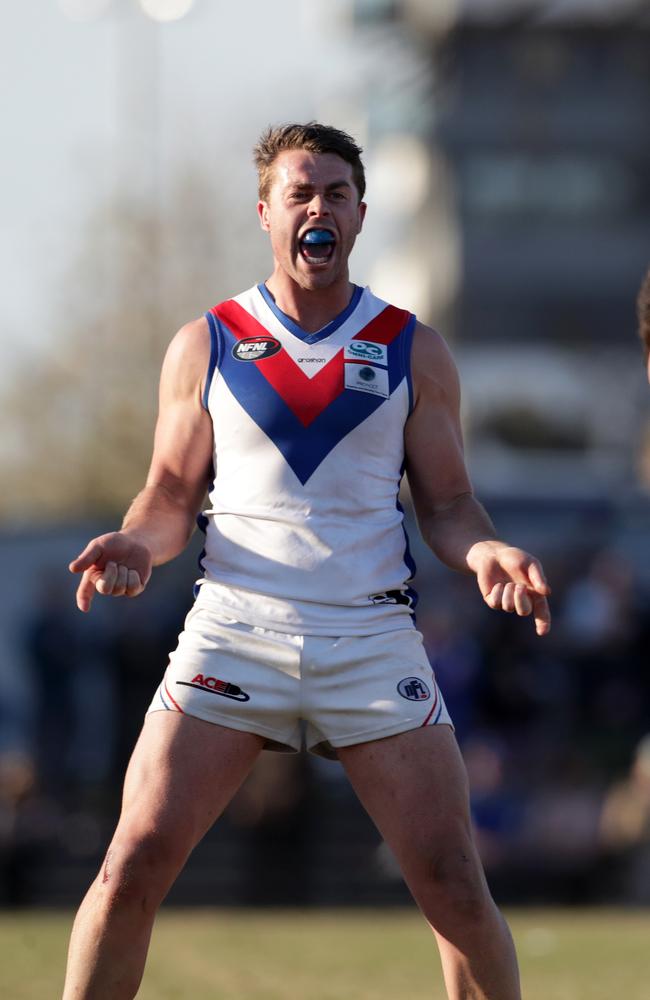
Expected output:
(312, 191)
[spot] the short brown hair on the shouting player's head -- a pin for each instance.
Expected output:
(313, 137)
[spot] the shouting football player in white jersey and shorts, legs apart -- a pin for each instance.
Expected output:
(306, 397)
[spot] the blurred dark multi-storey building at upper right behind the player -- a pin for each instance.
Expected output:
(530, 235)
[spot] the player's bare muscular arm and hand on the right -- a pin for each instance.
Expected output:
(452, 521)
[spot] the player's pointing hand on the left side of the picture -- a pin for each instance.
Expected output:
(113, 564)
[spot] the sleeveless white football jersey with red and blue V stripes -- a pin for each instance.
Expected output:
(304, 531)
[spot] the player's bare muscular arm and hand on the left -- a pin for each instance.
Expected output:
(160, 520)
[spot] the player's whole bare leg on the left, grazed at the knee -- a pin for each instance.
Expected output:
(182, 775)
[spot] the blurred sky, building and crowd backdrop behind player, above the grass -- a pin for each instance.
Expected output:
(507, 146)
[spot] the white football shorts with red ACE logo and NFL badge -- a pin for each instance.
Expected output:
(333, 691)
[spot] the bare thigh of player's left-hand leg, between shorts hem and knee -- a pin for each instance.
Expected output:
(182, 775)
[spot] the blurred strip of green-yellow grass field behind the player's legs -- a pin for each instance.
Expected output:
(338, 955)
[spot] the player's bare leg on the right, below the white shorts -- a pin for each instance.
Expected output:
(414, 786)
